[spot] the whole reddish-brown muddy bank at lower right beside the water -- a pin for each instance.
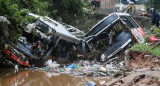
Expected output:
(144, 70)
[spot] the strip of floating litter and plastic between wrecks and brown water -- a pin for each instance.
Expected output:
(85, 68)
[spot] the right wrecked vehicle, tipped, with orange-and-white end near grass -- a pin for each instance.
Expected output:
(112, 34)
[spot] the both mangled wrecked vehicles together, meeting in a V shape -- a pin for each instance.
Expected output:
(47, 37)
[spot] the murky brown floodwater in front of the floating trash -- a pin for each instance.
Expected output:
(27, 77)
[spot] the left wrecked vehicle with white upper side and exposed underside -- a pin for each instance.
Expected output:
(43, 37)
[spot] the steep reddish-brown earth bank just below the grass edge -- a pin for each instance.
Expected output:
(143, 60)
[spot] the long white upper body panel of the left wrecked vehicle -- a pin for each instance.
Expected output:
(62, 32)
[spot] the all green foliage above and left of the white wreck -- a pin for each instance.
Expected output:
(68, 10)
